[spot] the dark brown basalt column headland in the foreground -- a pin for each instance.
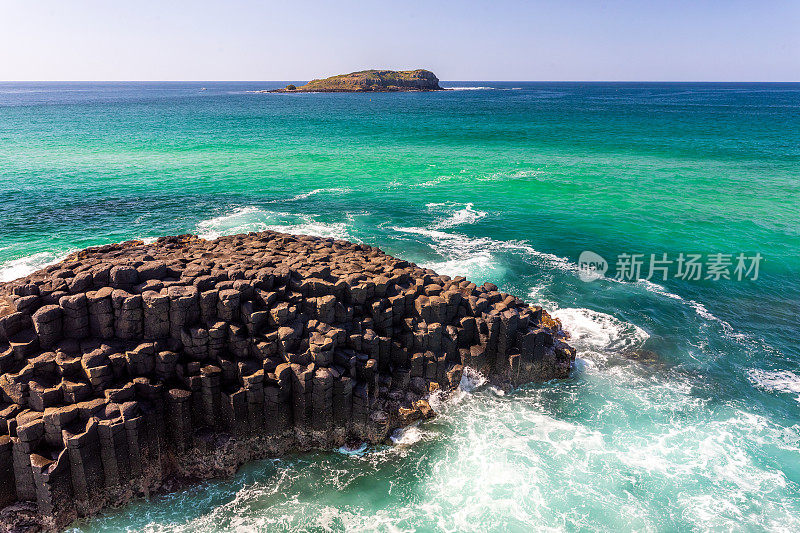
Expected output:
(132, 364)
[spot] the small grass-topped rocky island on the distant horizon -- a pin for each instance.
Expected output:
(370, 81)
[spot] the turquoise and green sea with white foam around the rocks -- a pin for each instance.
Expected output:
(682, 411)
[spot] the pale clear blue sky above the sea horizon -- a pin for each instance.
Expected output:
(459, 40)
